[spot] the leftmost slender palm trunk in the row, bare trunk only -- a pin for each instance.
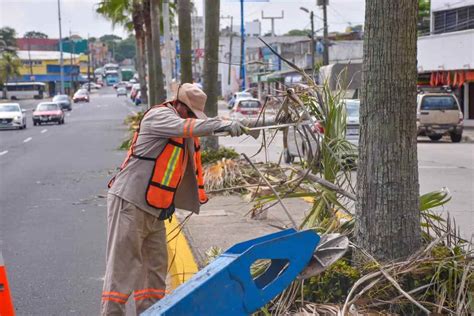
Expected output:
(137, 18)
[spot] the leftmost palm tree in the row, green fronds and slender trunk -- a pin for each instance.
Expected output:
(129, 14)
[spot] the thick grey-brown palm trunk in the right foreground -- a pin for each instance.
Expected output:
(388, 223)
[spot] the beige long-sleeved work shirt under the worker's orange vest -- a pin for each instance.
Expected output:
(158, 125)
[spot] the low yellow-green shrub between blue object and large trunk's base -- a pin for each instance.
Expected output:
(333, 285)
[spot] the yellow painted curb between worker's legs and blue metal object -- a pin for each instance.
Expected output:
(181, 263)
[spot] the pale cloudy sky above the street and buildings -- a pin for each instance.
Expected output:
(79, 17)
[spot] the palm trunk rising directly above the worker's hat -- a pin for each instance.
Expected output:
(185, 39)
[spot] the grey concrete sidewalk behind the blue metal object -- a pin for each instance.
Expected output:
(223, 222)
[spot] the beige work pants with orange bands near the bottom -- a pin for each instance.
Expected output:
(136, 258)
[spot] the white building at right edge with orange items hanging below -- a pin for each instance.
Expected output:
(446, 56)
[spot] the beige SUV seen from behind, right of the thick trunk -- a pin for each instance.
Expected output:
(439, 114)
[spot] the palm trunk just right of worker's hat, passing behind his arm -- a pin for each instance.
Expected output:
(211, 47)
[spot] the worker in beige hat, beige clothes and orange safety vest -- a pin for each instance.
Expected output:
(162, 171)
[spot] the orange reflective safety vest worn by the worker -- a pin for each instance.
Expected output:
(168, 171)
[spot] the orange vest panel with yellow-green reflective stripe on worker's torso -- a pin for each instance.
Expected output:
(166, 175)
